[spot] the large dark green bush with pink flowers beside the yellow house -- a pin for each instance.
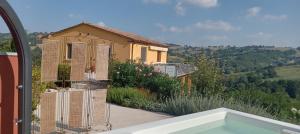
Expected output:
(130, 74)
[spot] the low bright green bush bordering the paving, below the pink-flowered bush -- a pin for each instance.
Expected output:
(131, 97)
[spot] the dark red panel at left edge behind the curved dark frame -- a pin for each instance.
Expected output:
(8, 94)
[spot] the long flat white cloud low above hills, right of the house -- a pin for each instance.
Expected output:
(216, 25)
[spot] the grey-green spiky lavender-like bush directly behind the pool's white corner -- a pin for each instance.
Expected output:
(183, 105)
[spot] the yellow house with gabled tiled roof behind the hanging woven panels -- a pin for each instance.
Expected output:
(124, 46)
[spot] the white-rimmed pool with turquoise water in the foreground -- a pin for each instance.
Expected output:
(218, 121)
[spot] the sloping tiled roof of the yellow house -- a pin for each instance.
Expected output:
(134, 37)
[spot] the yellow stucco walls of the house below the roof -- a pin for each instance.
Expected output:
(121, 46)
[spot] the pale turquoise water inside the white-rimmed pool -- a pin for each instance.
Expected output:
(227, 127)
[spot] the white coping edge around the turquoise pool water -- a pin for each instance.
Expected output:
(182, 122)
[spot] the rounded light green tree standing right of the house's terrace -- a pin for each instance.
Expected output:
(208, 78)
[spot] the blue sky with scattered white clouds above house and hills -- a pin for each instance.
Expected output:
(185, 22)
